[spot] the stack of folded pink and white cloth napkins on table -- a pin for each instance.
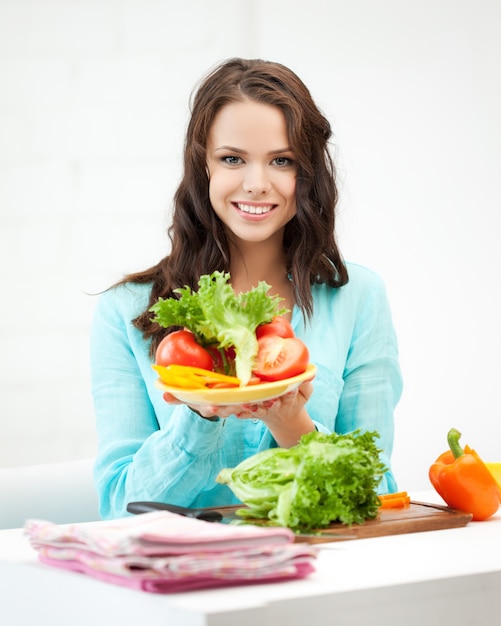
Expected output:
(163, 552)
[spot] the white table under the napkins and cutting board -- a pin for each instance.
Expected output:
(419, 579)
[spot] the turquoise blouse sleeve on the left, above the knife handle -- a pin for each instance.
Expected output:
(137, 458)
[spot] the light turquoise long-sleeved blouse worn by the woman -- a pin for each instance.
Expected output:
(150, 450)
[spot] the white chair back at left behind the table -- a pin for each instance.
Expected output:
(59, 492)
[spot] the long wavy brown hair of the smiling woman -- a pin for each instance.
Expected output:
(199, 244)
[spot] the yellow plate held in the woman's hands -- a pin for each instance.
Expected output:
(239, 395)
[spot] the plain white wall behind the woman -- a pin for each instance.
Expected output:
(93, 104)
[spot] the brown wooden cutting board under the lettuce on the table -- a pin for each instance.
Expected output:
(417, 517)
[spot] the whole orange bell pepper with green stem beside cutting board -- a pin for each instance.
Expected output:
(462, 479)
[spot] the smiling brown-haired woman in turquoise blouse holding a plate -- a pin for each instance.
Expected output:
(257, 199)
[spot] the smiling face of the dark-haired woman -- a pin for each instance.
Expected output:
(252, 170)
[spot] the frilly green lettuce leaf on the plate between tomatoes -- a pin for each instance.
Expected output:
(217, 315)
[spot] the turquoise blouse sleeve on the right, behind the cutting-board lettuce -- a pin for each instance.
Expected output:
(372, 378)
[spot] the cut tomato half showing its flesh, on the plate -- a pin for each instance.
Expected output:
(280, 358)
